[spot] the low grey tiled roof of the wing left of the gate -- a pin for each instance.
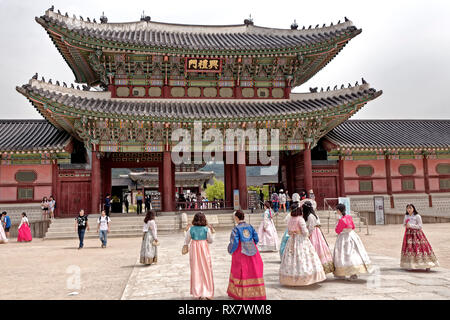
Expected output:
(31, 135)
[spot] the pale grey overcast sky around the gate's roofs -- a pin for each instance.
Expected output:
(404, 48)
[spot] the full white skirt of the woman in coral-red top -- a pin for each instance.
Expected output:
(350, 256)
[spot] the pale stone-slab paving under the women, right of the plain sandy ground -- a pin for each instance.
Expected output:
(170, 277)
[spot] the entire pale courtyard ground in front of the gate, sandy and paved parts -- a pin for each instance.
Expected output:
(55, 269)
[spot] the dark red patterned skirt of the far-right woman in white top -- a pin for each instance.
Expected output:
(416, 251)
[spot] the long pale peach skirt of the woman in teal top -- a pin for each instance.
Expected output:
(202, 283)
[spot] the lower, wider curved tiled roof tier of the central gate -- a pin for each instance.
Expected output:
(101, 103)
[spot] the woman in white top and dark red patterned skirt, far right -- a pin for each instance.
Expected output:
(416, 250)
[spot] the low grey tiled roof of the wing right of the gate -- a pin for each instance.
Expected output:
(391, 133)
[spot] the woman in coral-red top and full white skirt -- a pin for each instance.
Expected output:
(350, 257)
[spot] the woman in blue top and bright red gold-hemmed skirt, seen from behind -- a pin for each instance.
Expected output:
(246, 276)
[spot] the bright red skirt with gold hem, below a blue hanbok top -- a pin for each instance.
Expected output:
(246, 277)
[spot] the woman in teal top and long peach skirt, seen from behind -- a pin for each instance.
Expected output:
(196, 243)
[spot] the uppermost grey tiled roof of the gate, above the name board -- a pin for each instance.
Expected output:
(199, 37)
